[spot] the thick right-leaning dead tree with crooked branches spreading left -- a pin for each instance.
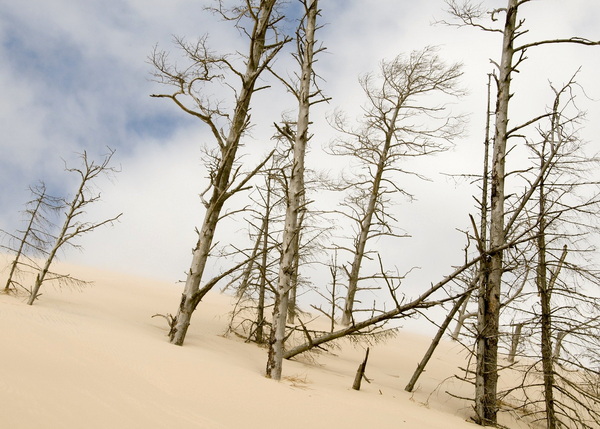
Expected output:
(258, 21)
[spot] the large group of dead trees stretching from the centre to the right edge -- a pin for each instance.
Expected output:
(528, 263)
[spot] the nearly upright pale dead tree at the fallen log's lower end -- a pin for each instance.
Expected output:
(306, 95)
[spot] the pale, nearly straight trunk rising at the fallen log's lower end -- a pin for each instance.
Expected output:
(295, 200)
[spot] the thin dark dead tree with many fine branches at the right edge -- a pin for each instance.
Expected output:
(563, 212)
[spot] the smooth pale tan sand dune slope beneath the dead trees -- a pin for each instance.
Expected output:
(96, 359)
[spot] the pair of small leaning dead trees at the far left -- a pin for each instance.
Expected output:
(51, 224)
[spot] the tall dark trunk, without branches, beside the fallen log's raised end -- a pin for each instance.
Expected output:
(486, 379)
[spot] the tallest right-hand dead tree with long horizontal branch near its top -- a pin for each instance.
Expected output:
(512, 55)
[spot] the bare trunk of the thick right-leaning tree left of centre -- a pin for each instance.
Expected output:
(192, 293)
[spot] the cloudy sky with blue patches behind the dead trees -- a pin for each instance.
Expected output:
(75, 77)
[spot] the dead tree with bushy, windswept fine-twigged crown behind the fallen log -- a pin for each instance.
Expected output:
(400, 122)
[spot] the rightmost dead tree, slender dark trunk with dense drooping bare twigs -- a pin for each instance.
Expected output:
(565, 198)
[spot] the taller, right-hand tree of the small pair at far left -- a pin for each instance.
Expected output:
(73, 226)
